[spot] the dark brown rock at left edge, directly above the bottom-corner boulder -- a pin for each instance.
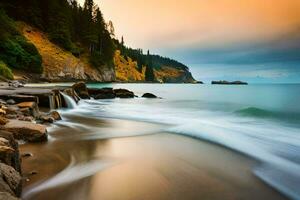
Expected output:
(9, 153)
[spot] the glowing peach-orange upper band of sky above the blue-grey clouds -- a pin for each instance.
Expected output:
(169, 23)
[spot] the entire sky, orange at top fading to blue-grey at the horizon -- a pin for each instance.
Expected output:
(254, 40)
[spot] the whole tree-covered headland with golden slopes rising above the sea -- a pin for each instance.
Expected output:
(82, 32)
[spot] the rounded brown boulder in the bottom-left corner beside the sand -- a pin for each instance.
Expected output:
(10, 180)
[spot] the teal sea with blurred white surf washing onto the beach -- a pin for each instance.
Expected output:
(259, 121)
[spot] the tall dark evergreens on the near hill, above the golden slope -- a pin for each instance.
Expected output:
(76, 28)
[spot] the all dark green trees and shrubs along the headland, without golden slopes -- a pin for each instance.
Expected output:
(80, 29)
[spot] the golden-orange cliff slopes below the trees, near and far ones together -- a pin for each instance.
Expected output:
(60, 65)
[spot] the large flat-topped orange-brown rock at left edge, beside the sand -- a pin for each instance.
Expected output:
(26, 131)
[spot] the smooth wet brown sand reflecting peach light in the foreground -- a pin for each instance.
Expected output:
(159, 166)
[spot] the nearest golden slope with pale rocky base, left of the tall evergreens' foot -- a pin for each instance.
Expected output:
(61, 65)
